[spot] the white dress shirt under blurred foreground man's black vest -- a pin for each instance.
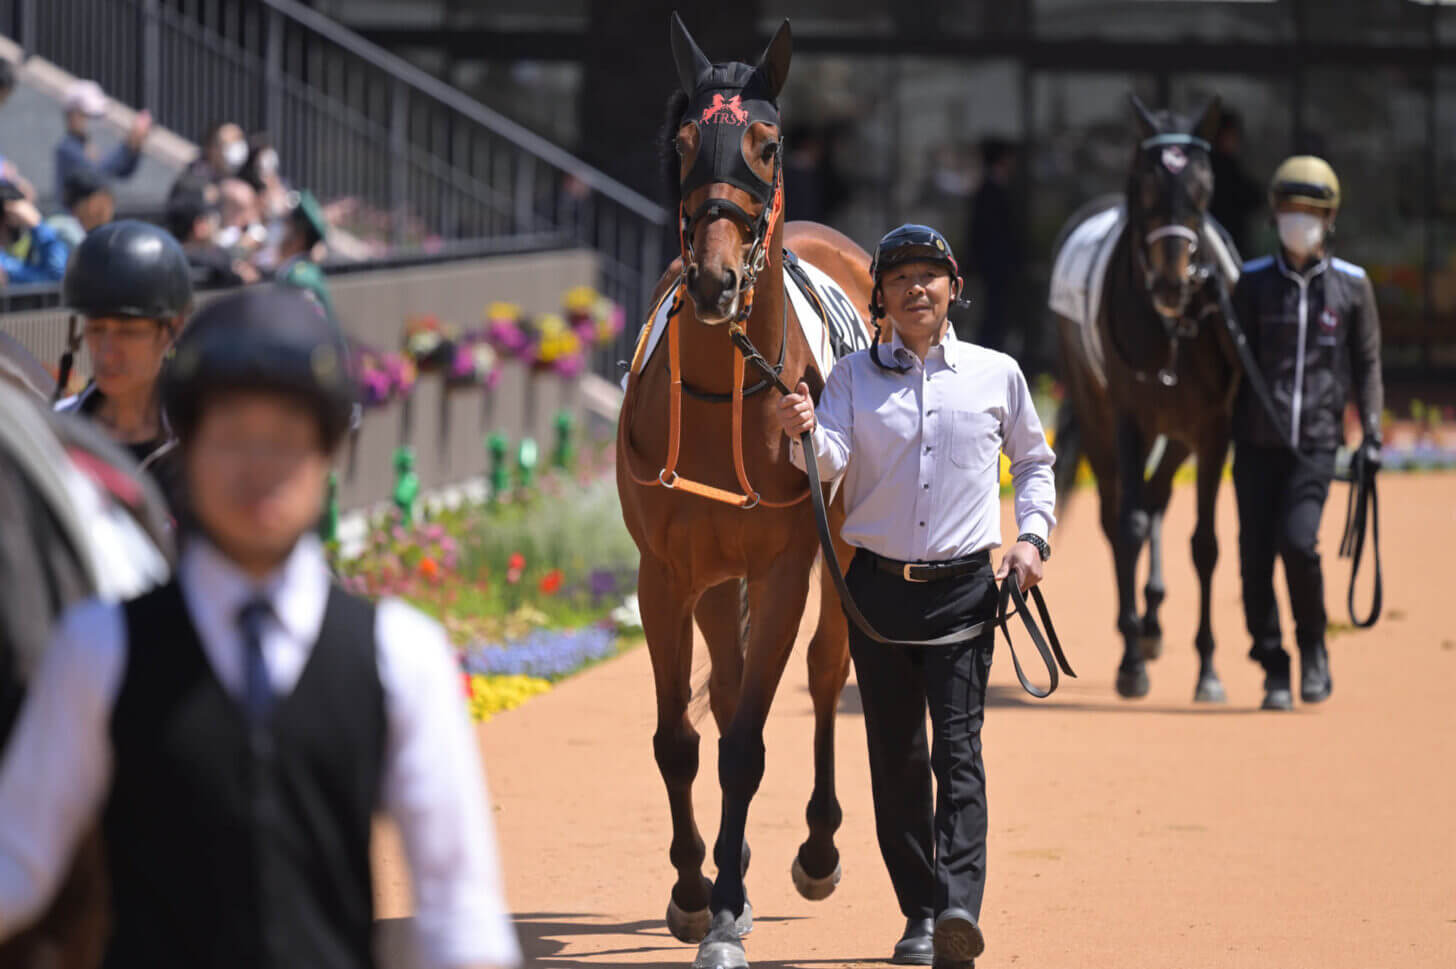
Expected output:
(58, 772)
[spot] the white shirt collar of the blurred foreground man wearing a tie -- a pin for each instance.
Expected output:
(298, 591)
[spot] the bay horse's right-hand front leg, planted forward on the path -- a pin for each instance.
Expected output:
(777, 602)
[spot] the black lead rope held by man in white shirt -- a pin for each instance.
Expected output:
(1011, 594)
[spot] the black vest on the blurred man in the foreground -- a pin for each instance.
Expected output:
(232, 849)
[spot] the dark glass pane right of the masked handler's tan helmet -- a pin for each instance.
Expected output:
(1372, 127)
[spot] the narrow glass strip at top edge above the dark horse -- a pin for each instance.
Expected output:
(1263, 21)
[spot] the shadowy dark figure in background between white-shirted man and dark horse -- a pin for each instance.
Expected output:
(997, 250)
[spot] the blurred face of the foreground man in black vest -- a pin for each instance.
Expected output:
(257, 475)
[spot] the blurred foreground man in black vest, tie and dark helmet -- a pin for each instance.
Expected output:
(237, 730)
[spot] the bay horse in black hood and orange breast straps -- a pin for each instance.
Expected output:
(708, 551)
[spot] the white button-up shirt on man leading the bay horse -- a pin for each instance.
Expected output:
(921, 452)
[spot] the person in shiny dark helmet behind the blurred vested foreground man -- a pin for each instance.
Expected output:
(132, 284)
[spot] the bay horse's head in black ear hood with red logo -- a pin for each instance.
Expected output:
(732, 127)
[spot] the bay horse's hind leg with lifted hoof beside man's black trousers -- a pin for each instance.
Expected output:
(816, 869)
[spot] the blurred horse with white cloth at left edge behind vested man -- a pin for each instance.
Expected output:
(52, 557)
